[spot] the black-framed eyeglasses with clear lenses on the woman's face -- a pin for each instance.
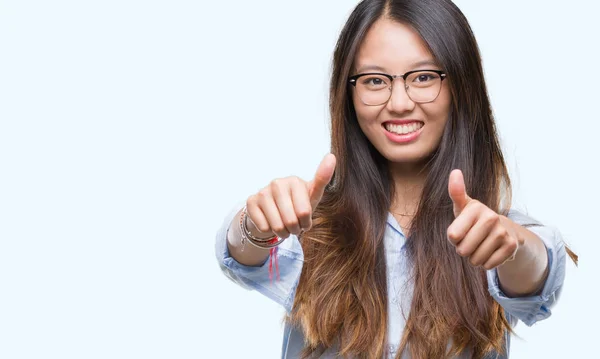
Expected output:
(375, 88)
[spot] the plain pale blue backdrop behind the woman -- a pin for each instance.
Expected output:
(129, 129)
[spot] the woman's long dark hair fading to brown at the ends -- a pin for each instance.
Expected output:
(341, 298)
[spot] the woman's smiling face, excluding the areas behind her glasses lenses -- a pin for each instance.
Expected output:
(402, 130)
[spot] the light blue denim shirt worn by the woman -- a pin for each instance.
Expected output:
(526, 309)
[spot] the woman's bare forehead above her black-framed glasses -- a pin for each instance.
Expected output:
(393, 46)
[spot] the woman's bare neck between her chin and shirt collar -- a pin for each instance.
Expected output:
(409, 180)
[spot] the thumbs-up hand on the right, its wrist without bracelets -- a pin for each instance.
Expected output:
(478, 232)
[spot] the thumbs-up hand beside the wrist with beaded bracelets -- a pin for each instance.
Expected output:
(285, 206)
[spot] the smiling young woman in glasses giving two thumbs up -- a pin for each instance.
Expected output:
(404, 244)
